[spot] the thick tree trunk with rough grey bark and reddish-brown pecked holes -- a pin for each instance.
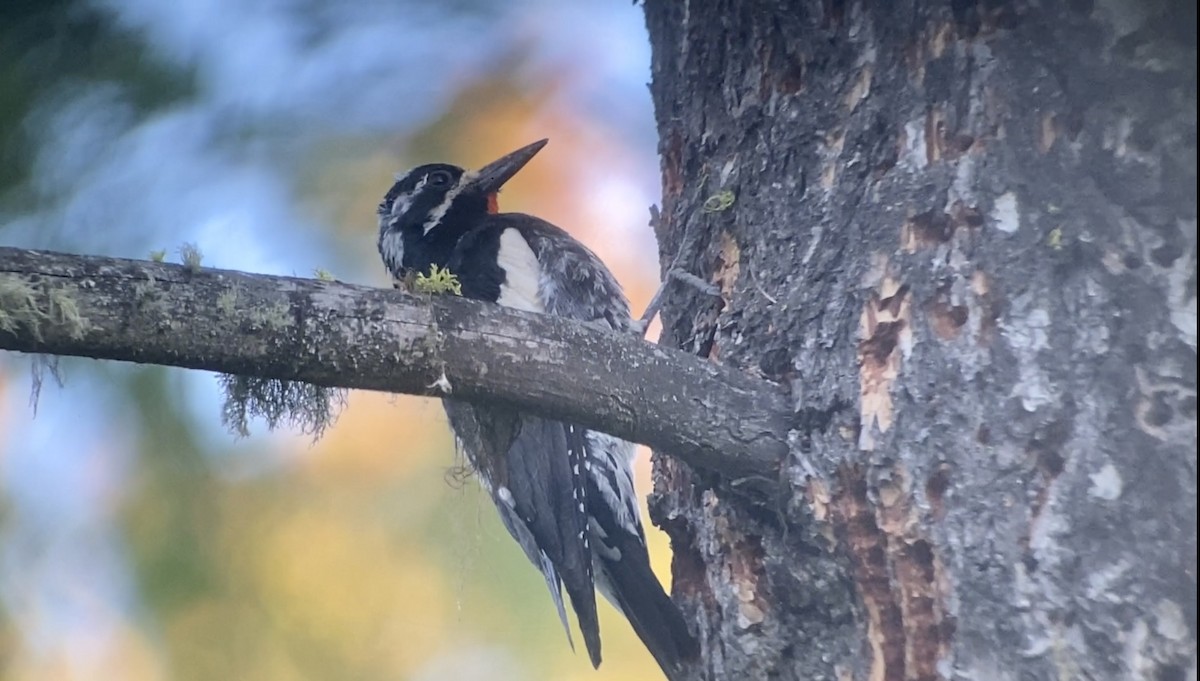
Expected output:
(964, 236)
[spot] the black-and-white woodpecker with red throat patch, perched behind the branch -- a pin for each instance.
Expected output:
(565, 493)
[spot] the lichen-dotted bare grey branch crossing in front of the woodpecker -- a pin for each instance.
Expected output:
(347, 336)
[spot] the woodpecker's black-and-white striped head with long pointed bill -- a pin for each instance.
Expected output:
(431, 207)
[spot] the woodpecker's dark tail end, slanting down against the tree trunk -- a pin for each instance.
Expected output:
(629, 584)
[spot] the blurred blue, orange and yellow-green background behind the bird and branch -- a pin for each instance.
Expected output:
(142, 541)
